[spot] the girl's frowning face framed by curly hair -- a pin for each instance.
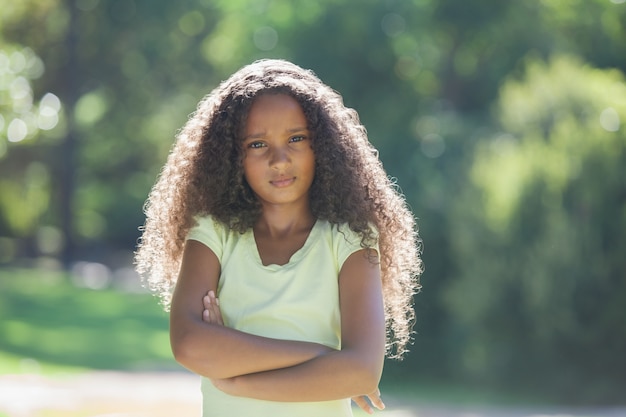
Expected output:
(278, 163)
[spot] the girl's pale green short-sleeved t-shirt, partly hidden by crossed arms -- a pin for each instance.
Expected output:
(295, 301)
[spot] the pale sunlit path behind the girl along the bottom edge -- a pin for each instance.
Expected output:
(119, 394)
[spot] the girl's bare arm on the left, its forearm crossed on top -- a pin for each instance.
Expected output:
(210, 349)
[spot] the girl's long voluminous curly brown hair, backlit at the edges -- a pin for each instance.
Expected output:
(203, 175)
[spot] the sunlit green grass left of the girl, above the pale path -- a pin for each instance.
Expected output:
(50, 325)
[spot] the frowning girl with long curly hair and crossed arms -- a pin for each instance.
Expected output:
(286, 255)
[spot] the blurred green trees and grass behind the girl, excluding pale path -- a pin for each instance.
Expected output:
(502, 122)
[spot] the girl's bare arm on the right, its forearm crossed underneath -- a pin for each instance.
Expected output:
(355, 370)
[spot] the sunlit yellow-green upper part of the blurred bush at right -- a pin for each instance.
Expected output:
(551, 122)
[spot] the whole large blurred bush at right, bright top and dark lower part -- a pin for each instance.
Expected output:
(542, 271)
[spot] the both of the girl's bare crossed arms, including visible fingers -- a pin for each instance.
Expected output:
(279, 370)
